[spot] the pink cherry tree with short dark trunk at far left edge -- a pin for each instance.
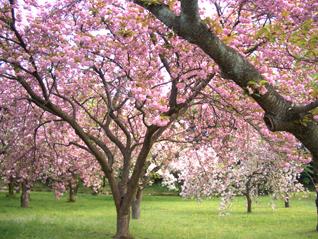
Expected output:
(22, 157)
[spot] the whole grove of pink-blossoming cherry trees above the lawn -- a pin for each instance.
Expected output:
(91, 88)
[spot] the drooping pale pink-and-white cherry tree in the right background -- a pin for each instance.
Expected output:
(227, 154)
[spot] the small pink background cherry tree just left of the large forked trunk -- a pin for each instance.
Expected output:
(69, 164)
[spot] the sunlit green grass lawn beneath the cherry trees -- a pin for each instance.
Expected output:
(163, 217)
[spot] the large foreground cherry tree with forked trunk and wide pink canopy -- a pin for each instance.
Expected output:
(82, 62)
